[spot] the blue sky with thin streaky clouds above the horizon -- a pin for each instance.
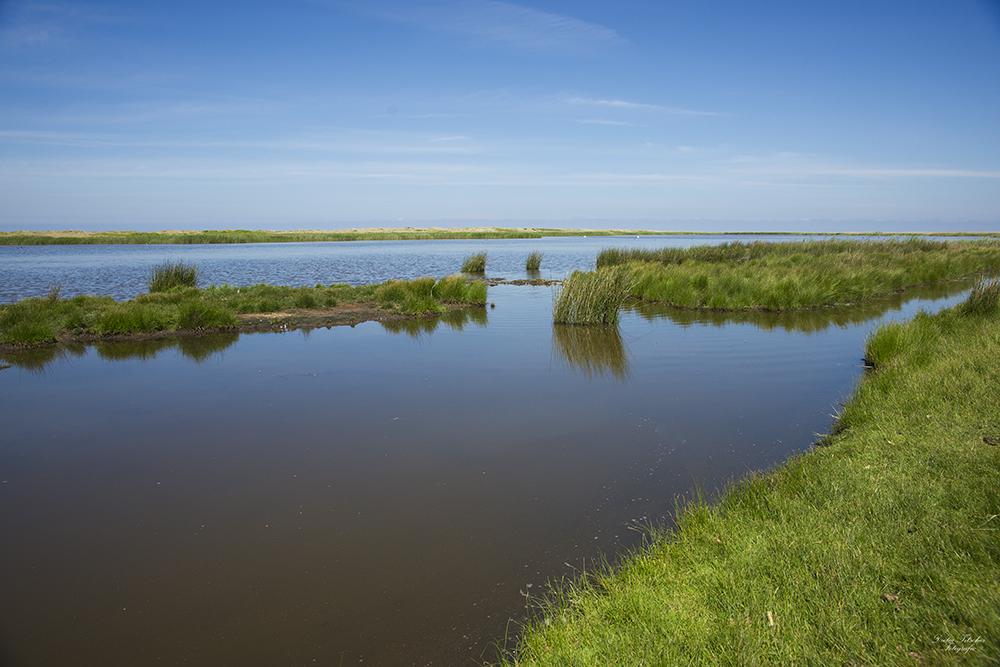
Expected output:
(704, 115)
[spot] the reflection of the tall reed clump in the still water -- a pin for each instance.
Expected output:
(596, 350)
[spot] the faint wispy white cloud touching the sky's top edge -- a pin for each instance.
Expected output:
(499, 22)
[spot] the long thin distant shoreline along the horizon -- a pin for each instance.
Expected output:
(180, 237)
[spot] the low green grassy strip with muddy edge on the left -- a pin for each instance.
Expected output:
(46, 320)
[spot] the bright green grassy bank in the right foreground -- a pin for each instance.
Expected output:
(881, 548)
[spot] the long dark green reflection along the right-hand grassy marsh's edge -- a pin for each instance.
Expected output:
(805, 321)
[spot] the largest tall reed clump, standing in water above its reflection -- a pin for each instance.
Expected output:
(592, 298)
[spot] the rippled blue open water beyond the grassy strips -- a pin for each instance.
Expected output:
(122, 271)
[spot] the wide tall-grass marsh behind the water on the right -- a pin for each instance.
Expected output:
(785, 276)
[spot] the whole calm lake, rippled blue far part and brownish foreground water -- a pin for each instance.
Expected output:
(388, 494)
